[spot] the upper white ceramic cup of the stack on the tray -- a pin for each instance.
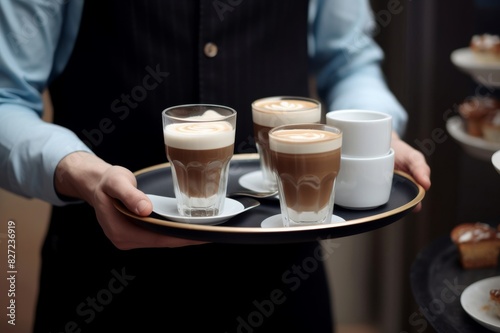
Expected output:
(365, 133)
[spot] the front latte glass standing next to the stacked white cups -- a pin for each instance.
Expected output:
(306, 161)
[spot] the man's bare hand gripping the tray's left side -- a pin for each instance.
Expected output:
(85, 176)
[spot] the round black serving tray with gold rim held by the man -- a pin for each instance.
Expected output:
(245, 228)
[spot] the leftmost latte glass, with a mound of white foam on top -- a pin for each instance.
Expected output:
(199, 143)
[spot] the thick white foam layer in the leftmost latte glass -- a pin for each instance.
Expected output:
(202, 135)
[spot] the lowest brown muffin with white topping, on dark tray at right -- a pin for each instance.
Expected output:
(478, 244)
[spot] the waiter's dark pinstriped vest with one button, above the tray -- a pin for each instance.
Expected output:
(133, 59)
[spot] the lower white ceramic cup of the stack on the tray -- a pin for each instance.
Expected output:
(364, 183)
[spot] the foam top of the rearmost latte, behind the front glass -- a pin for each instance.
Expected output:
(266, 112)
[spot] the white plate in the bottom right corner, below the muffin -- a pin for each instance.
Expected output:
(475, 301)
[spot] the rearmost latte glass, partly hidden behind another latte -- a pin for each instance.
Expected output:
(275, 111)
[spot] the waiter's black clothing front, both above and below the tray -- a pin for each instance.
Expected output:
(132, 59)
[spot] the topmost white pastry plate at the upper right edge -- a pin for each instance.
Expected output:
(485, 73)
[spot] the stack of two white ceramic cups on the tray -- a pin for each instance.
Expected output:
(367, 161)
